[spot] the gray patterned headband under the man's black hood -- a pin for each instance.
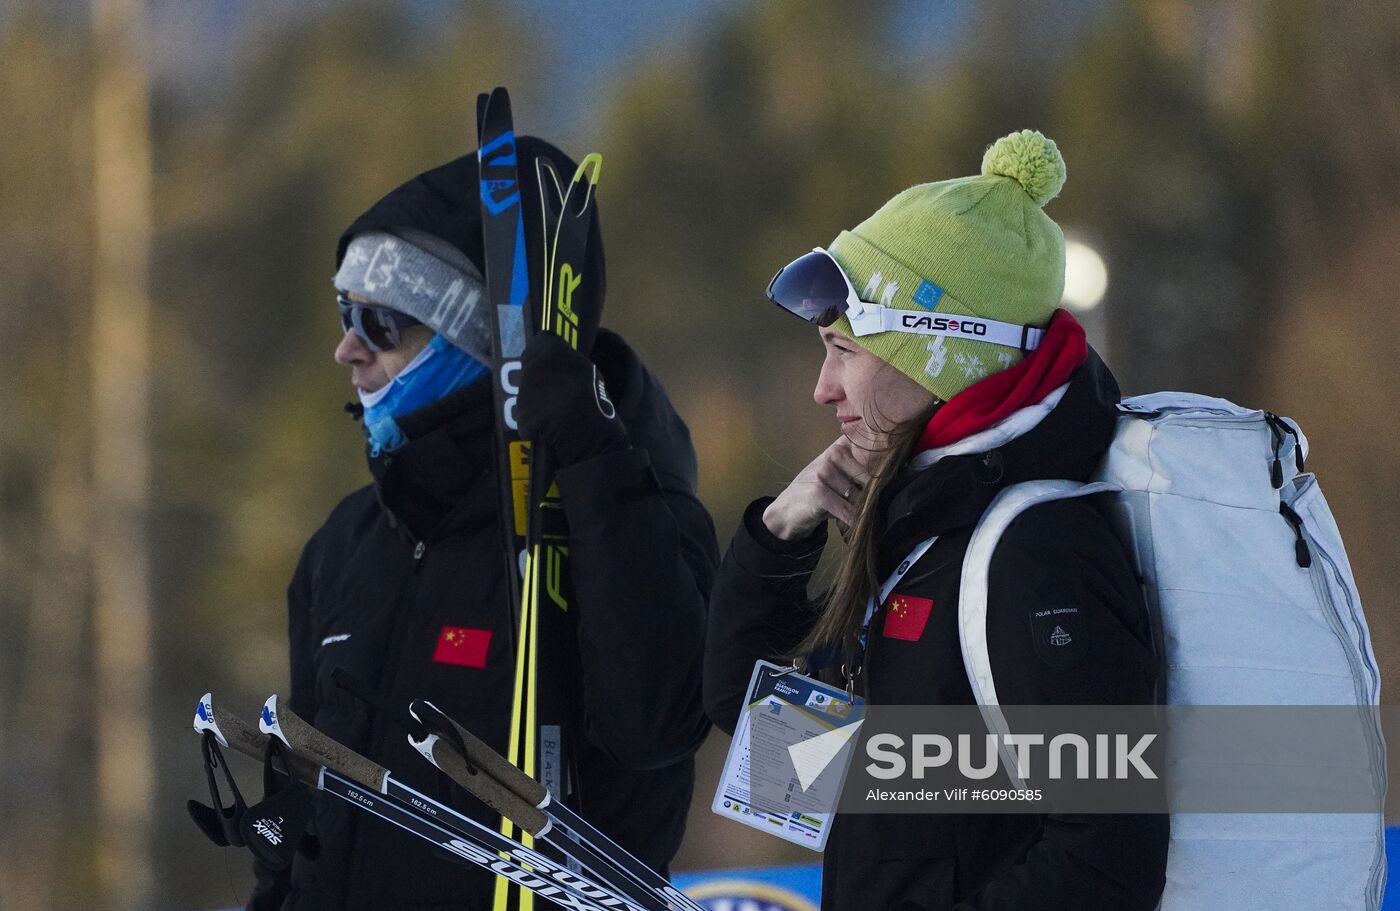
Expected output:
(425, 278)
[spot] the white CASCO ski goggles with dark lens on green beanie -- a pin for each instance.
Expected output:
(817, 289)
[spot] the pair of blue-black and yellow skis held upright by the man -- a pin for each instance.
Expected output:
(545, 709)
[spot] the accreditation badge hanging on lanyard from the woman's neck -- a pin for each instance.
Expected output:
(792, 749)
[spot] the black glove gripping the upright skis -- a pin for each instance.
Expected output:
(565, 405)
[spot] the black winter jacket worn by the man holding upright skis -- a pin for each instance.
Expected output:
(421, 551)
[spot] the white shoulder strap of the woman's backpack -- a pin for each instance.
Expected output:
(972, 597)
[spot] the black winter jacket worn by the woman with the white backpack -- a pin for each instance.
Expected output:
(1056, 555)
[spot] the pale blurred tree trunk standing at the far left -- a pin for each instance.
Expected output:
(121, 455)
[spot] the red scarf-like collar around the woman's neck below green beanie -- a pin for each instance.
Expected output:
(999, 397)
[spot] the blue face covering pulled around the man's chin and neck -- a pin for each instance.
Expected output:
(440, 370)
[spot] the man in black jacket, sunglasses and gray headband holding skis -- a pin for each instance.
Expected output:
(405, 588)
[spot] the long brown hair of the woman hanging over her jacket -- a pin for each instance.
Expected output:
(839, 623)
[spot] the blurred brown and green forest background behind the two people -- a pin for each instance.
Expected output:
(174, 177)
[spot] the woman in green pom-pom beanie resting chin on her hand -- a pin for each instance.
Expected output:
(953, 376)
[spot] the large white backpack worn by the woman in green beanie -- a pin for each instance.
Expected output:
(1213, 504)
